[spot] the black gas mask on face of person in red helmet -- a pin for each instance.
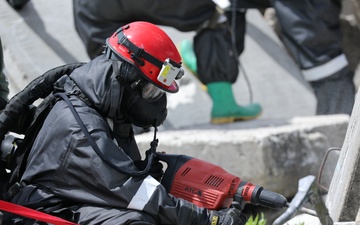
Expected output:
(144, 104)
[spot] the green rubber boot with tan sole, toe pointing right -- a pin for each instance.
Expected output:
(225, 109)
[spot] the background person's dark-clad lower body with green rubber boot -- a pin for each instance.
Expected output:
(216, 49)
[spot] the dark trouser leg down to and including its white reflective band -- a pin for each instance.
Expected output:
(312, 35)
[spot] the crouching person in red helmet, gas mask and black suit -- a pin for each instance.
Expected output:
(93, 174)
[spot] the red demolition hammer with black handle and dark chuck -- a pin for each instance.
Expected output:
(210, 186)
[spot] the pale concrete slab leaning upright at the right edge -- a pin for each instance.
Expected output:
(343, 199)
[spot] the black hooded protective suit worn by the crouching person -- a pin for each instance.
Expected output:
(65, 176)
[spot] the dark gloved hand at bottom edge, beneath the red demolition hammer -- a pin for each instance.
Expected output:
(230, 216)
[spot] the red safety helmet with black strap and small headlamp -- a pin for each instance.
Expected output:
(150, 49)
